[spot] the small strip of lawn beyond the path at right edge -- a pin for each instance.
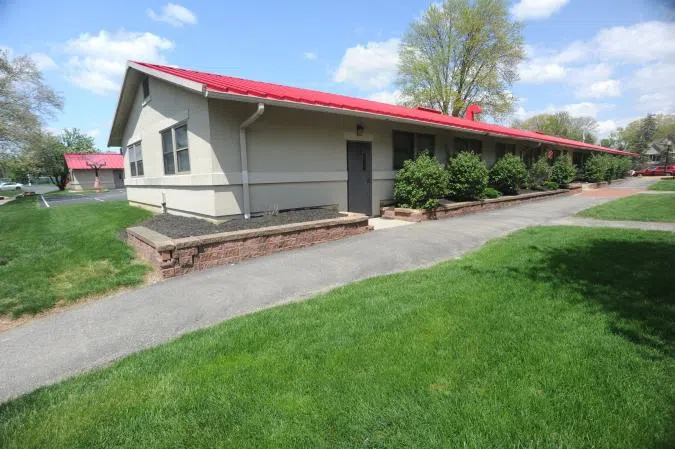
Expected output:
(642, 207)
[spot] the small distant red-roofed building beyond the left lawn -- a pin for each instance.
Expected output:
(83, 168)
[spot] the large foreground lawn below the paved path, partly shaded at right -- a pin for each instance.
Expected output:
(556, 337)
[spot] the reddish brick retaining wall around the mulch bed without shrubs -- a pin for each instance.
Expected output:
(175, 257)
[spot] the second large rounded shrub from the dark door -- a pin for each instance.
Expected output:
(468, 177)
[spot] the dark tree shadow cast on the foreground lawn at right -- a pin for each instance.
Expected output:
(632, 280)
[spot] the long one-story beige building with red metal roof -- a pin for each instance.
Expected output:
(216, 146)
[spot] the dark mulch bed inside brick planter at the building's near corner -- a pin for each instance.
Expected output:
(175, 226)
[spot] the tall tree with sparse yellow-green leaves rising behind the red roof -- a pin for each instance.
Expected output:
(461, 52)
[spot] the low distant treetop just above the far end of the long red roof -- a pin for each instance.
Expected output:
(561, 124)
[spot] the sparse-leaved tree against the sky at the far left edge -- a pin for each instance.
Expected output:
(25, 102)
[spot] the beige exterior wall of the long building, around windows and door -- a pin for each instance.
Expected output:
(296, 158)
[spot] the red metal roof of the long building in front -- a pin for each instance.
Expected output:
(257, 89)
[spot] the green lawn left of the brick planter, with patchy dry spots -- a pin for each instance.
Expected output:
(63, 253)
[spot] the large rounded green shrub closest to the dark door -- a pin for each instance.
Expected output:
(420, 183)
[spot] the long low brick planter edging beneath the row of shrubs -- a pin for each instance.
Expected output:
(467, 207)
